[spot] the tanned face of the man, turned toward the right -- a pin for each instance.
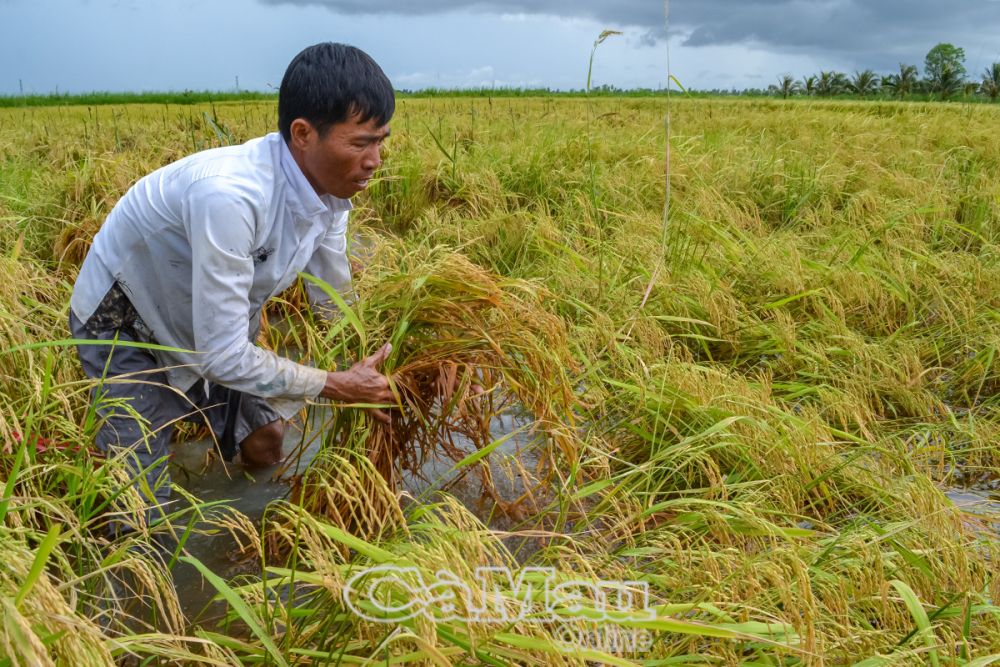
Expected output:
(342, 161)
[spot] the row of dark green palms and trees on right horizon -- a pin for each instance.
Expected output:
(944, 77)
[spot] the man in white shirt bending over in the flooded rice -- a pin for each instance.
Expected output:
(191, 253)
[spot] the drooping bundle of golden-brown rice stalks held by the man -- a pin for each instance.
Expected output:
(467, 346)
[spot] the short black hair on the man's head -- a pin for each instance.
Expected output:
(327, 83)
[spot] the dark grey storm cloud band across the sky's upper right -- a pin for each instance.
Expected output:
(877, 33)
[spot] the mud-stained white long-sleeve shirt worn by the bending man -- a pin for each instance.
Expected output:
(201, 244)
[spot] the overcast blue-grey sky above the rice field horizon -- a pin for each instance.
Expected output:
(135, 45)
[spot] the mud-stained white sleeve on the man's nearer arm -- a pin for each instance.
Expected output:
(220, 215)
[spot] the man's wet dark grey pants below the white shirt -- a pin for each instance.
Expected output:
(138, 407)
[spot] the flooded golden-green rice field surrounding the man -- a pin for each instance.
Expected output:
(775, 405)
